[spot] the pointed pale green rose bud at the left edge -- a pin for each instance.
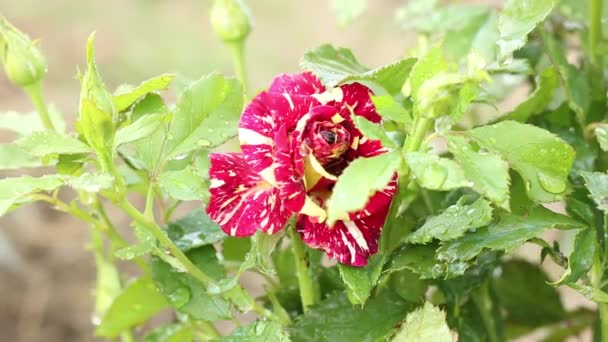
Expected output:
(23, 62)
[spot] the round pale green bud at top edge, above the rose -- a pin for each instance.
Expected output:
(231, 20)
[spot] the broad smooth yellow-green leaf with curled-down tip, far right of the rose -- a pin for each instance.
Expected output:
(542, 159)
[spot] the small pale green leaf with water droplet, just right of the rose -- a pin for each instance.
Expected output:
(435, 173)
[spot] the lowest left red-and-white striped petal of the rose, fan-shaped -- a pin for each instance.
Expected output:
(242, 202)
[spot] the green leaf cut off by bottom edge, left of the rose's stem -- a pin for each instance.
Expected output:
(259, 331)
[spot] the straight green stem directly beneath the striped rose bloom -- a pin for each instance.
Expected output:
(307, 288)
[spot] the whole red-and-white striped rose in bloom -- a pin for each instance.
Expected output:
(296, 139)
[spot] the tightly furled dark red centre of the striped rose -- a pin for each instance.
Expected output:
(328, 141)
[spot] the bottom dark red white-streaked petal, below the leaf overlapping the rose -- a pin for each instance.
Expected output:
(349, 242)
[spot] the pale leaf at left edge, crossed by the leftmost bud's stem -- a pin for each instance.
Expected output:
(28, 123)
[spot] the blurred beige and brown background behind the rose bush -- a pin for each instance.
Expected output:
(46, 273)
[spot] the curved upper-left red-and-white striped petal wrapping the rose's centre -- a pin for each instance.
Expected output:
(259, 124)
